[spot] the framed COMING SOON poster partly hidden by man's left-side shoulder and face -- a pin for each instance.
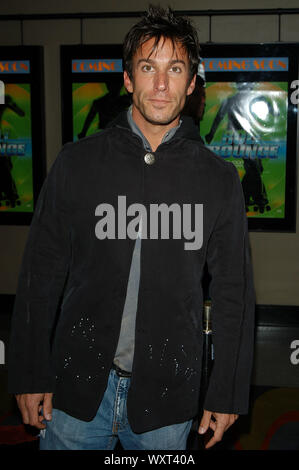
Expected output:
(93, 89)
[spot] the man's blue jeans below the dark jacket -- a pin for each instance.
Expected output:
(64, 432)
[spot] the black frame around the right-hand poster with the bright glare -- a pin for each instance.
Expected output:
(266, 50)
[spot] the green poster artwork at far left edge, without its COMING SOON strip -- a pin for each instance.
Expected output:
(16, 180)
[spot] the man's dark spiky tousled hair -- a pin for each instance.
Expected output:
(162, 23)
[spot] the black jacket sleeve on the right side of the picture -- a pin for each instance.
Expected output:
(233, 305)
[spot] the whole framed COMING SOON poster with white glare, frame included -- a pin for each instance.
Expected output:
(251, 121)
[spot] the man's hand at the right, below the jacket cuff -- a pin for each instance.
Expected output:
(218, 422)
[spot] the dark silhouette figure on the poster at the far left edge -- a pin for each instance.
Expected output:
(8, 190)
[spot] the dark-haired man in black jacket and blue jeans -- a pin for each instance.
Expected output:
(122, 359)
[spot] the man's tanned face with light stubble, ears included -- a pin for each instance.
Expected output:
(160, 82)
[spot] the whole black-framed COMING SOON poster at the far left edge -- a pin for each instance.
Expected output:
(22, 150)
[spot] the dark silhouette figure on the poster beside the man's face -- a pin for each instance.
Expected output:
(107, 107)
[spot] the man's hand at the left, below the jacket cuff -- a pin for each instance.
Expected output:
(30, 407)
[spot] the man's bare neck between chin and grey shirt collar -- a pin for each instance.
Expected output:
(153, 133)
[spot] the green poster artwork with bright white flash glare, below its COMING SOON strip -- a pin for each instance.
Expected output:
(246, 123)
